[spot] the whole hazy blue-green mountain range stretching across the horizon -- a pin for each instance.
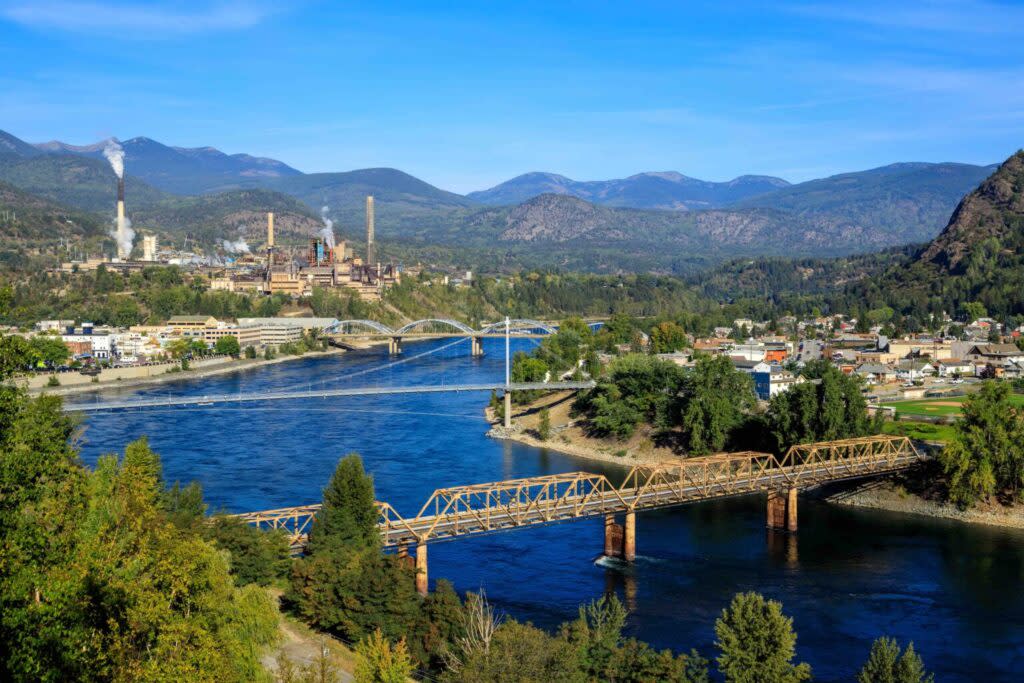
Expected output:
(647, 222)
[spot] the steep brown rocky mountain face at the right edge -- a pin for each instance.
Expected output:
(994, 214)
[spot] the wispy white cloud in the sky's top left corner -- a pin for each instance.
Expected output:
(133, 21)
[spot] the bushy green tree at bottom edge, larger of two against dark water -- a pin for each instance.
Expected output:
(756, 643)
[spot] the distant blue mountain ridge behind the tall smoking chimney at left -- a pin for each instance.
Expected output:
(182, 170)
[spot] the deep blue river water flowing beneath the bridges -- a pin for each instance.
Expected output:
(849, 576)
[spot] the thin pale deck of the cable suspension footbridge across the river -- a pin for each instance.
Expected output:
(210, 400)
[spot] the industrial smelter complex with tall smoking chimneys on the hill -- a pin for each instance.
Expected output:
(276, 270)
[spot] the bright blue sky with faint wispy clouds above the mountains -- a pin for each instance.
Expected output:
(467, 95)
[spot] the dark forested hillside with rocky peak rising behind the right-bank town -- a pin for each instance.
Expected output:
(978, 258)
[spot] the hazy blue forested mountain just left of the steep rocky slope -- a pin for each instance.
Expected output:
(912, 200)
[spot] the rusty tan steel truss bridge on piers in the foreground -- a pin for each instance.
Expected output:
(486, 508)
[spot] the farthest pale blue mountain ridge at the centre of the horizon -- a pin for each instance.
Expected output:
(645, 191)
